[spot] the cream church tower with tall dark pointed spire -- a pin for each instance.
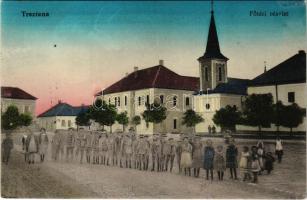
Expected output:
(213, 64)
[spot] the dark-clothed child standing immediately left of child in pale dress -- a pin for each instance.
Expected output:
(231, 159)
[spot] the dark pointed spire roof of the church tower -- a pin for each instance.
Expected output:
(213, 46)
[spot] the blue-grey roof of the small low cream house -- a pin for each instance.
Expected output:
(63, 109)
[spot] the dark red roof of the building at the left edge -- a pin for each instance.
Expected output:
(15, 93)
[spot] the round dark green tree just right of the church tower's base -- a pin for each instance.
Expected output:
(227, 118)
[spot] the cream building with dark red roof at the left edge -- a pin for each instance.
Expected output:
(25, 102)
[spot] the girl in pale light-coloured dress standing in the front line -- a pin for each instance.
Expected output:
(186, 157)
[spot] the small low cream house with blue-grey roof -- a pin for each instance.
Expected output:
(62, 116)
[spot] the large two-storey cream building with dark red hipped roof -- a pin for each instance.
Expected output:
(147, 85)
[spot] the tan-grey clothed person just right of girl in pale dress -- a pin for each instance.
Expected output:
(197, 156)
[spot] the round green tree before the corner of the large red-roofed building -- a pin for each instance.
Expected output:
(154, 113)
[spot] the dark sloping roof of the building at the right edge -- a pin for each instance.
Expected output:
(292, 70)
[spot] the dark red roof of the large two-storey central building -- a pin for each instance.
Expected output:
(153, 77)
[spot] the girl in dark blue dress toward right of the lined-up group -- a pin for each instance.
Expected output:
(208, 159)
